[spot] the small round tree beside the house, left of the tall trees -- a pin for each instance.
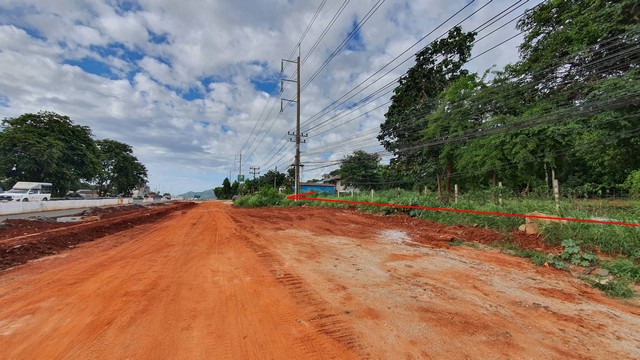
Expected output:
(361, 170)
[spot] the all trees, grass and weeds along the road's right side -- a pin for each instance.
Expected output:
(563, 120)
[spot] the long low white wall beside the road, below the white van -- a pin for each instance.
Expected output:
(10, 208)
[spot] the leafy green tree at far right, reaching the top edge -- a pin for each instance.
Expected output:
(575, 70)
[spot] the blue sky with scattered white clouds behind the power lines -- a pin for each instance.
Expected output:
(192, 84)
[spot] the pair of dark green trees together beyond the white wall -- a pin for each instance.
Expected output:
(48, 147)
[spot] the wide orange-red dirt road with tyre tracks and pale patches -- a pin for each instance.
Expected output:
(215, 282)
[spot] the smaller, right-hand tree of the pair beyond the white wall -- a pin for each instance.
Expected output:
(120, 171)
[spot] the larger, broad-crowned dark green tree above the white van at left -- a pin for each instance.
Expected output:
(47, 147)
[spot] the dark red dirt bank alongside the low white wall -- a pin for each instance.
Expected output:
(24, 240)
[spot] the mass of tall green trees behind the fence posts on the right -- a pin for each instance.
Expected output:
(569, 106)
